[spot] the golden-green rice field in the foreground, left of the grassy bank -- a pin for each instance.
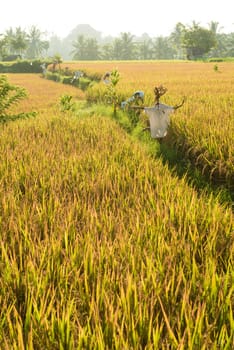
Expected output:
(102, 247)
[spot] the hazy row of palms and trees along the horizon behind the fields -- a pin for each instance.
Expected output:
(185, 42)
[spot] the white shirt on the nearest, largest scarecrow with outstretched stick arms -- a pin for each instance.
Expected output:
(159, 118)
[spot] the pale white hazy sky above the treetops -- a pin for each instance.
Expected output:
(113, 17)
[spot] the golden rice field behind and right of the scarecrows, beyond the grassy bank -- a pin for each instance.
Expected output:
(204, 127)
